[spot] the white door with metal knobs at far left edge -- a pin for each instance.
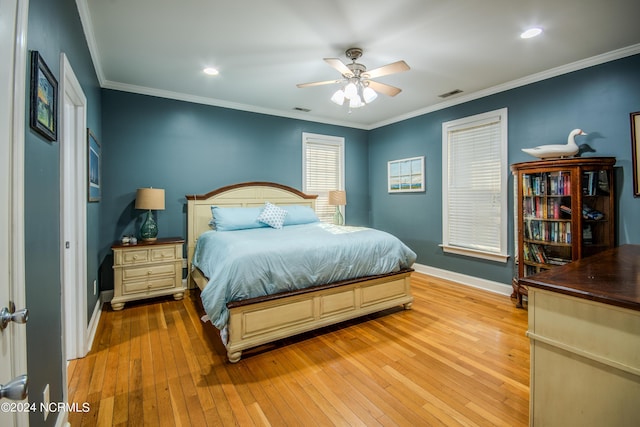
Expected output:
(12, 335)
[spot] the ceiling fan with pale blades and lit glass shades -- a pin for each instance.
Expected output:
(359, 87)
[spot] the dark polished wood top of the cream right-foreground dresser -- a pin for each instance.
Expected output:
(610, 277)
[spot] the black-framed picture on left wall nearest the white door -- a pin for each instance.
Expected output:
(43, 110)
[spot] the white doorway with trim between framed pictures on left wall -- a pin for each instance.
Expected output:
(73, 220)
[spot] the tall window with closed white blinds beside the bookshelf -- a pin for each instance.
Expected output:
(474, 186)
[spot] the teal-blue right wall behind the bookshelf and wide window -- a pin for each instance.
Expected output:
(598, 100)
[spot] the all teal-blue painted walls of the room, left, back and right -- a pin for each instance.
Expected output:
(191, 148)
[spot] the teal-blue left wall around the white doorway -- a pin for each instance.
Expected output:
(54, 27)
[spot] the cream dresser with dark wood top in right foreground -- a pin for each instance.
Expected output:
(584, 328)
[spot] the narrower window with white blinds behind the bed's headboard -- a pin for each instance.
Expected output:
(322, 170)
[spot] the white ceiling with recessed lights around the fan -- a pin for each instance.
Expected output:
(263, 48)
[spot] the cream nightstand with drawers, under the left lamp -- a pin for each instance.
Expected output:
(147, 270)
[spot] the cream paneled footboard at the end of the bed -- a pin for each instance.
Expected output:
(267, 320)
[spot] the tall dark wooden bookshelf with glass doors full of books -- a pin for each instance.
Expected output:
(565, 212)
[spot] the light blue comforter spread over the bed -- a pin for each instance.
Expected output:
(251, 263)
